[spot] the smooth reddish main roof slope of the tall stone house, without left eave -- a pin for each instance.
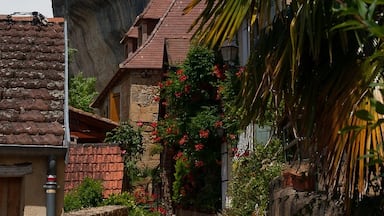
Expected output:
(172, 25)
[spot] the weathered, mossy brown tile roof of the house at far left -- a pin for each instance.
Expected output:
(32, 81)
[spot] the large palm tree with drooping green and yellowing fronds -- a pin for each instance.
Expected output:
(315, 60)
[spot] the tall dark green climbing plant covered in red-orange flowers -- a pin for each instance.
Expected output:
(194, 116)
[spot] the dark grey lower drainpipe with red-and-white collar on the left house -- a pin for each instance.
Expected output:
(51, 186)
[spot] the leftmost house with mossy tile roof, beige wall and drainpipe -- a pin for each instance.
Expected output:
(32, 115)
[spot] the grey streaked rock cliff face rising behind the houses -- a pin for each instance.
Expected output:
(95, 28)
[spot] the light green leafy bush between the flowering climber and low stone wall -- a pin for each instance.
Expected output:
(251, 177)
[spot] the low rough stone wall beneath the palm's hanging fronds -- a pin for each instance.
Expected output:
(294, 193)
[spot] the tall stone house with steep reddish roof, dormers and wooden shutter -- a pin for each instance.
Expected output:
(158, 39)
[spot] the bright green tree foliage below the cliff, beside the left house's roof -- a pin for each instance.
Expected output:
(82, 91)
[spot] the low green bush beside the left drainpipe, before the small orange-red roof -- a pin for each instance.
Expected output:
(88, 194)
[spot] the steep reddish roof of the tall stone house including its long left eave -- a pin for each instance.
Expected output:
(172, 25)
